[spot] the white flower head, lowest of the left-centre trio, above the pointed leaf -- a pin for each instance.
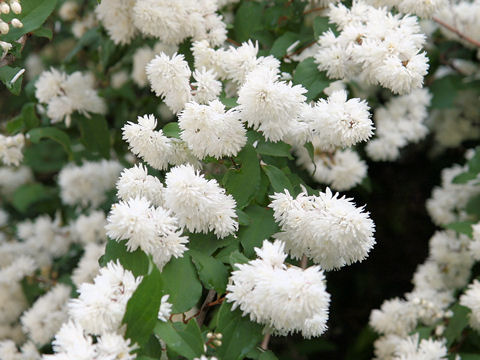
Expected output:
(152, 229)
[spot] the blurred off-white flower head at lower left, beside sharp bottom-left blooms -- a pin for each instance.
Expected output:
(46, 315)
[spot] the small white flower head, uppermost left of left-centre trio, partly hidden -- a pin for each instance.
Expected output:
(135, 182)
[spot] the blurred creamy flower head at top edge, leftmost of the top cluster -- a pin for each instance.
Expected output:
(116, 16)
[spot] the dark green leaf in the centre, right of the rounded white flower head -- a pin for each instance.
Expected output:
(234, 180)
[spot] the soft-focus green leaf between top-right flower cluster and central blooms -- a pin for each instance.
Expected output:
(311, 78)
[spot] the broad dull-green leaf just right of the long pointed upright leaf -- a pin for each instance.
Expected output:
(181, 283)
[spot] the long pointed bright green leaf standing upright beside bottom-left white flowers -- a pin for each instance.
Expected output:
(142, 308)
